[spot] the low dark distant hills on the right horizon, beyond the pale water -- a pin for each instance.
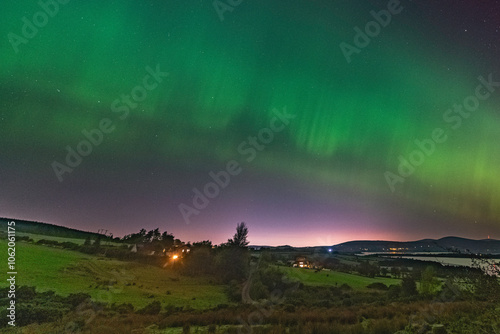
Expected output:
(447, 244)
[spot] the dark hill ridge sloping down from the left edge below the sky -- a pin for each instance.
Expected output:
(48, 229)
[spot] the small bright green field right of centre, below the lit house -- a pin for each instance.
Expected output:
(332, 278)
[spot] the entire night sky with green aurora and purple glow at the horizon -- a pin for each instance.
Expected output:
(323, 137)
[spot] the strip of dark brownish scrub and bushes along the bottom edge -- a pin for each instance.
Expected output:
(47, 312)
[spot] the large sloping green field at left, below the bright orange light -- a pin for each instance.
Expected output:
(108, 280)
